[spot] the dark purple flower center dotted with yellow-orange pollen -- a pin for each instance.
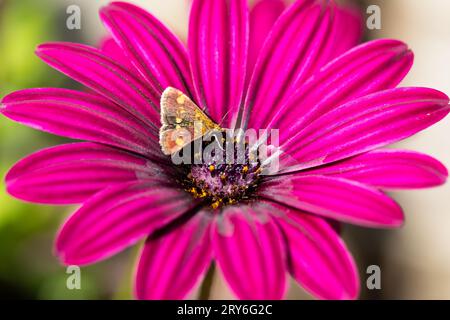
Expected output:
(222, 183)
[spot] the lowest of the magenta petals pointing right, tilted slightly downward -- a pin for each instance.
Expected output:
(336, 198)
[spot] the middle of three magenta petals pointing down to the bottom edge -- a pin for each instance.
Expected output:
(250, 254)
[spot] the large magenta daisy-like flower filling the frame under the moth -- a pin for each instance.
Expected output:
(335, 108)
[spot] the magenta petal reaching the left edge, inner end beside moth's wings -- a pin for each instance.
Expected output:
(80, 115)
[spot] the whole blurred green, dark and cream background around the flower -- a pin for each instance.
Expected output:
(415, 261)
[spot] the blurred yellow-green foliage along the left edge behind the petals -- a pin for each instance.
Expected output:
(28, 268)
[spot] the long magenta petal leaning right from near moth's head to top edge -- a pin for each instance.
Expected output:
(292, 53)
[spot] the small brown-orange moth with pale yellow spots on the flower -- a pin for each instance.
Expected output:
(182, 121)
